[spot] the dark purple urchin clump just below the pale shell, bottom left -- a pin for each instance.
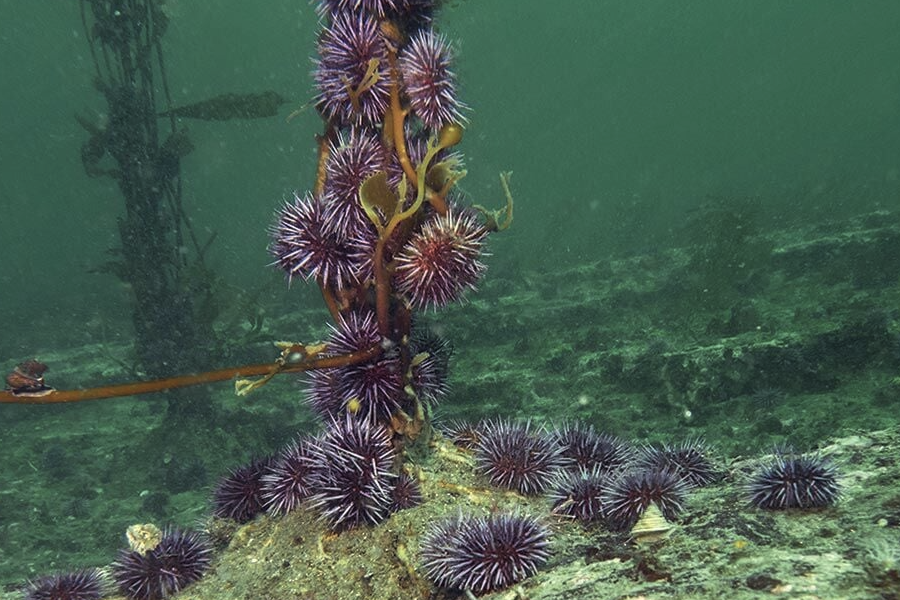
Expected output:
(180, 559)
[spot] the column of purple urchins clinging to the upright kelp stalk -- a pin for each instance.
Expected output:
(383, 232)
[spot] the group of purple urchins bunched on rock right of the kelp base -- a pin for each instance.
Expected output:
(589, 476)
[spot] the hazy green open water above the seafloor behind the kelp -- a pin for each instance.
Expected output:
(616, 117)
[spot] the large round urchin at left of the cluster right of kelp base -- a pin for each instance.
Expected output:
(518, 457)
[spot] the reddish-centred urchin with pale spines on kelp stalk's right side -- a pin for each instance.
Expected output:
(441, 260)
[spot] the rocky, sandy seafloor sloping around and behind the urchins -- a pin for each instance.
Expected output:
(799, 344)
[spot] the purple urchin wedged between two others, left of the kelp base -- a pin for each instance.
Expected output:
(287, 481)
